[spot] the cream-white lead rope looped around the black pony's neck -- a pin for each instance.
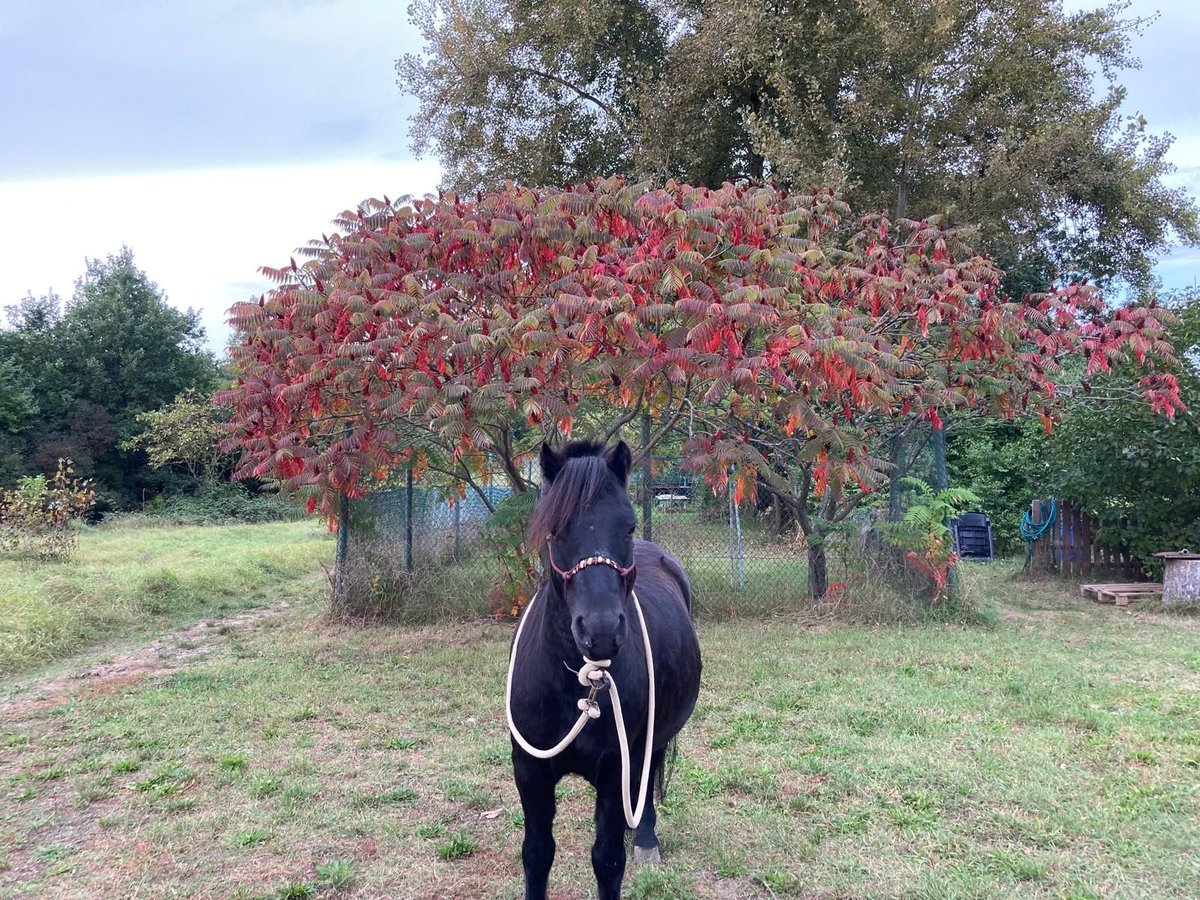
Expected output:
(590, 676)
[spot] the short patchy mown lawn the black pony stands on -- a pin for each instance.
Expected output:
(1055, 754)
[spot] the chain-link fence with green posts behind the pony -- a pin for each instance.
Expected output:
(439, 556)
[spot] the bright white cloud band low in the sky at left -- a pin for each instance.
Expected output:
(201, 236)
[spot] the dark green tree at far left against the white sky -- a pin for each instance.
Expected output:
(80, 376)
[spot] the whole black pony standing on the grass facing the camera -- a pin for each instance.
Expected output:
(585, 526)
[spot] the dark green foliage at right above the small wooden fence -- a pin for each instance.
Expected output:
(1138, 473)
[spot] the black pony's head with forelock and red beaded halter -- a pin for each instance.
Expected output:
(585, 525)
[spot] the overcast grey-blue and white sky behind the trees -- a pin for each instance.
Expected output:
(215, 137)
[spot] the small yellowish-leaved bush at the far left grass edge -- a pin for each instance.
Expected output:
(38, 518)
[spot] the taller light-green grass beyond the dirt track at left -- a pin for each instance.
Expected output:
(133, 579)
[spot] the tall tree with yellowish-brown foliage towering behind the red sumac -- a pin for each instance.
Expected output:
(980, 111)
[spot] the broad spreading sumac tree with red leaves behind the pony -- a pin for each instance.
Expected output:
(451, 333)
